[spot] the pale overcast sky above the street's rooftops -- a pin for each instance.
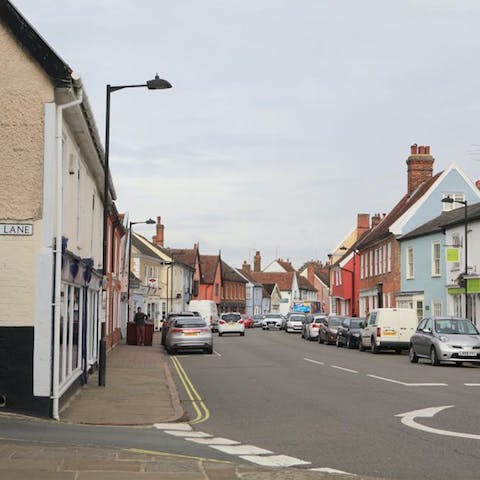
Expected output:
(286, 118)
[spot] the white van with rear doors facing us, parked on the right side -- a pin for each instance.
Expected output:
(388, 329)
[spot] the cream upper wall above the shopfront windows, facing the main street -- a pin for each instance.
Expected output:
(83, 210)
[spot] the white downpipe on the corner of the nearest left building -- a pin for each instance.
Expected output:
(58, 254)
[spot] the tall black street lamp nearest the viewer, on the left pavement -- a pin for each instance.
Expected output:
(156, 84)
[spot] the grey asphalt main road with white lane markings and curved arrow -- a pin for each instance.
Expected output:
(337, 408)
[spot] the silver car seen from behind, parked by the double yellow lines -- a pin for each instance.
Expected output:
(189, 333)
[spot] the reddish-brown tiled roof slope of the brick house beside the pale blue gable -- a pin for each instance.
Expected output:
(381, 231)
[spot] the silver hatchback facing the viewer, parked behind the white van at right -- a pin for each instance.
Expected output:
(443, 339)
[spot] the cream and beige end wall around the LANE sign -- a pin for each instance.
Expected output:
(24, 91)
